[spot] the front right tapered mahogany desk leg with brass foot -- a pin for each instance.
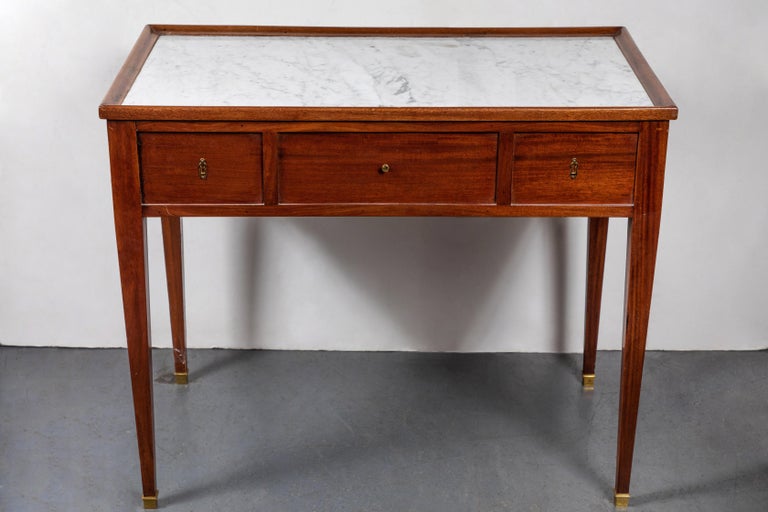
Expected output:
(643, 235)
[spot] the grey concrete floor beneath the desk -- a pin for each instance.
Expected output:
(349, 431)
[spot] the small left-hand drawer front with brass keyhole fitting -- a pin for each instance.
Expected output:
(172, 170)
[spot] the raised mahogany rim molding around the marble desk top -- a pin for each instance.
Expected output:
(111, 108)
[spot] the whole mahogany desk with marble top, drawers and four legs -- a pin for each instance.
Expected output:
(247, 121)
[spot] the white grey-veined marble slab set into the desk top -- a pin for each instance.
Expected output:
(386, 72)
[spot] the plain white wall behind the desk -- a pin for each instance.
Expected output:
(405, 284)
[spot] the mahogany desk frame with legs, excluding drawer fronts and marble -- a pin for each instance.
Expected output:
(126, 122)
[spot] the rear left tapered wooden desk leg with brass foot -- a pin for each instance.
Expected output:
(174, 272)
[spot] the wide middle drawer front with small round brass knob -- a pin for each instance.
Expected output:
(458, 168)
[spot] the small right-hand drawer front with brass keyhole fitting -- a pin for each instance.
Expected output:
(574, 168)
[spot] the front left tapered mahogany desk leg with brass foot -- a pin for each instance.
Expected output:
(130, 232)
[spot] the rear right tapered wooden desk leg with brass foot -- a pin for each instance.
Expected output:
(597, 235)
